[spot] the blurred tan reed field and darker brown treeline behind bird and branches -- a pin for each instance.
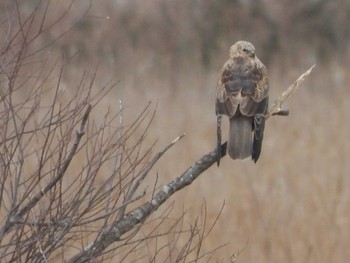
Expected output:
(292, 206)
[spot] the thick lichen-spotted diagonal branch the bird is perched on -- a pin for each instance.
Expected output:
(141, 213)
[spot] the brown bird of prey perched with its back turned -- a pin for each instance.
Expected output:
(242, 95)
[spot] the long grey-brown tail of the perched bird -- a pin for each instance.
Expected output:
(240, 144)
